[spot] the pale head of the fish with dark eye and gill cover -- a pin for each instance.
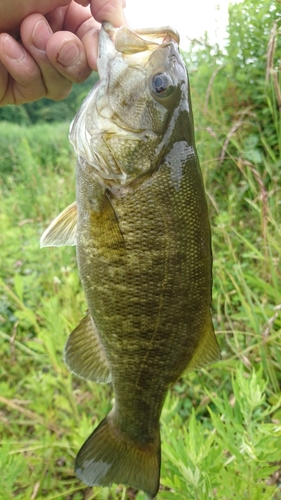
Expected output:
(125, 125)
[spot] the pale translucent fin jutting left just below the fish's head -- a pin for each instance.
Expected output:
(62, 231)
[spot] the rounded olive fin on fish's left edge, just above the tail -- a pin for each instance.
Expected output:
(84, 354)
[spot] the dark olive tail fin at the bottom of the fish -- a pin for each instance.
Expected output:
(108, 456)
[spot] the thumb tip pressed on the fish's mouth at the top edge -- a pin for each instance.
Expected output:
(109, 10)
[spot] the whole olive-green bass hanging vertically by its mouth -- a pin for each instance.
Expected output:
(141, 228)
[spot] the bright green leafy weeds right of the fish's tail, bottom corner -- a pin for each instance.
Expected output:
(233, 459)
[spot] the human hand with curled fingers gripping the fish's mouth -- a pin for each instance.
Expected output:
(55, 50)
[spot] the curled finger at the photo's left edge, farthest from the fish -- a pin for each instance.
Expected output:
(21, 79)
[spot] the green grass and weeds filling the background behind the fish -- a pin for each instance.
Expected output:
(221, 426)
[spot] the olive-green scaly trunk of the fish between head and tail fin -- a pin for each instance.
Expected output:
(150, 303)
